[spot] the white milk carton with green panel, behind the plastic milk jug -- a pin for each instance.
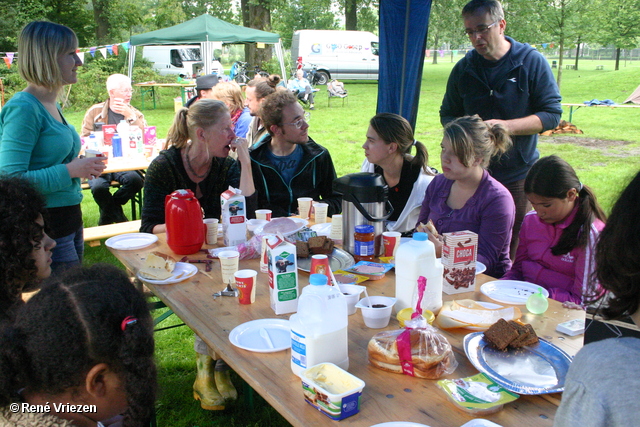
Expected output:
(283, 275)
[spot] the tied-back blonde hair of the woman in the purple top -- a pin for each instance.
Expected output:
(471, 138)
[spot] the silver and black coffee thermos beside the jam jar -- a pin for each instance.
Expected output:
(364, 201)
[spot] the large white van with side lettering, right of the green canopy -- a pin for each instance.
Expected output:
(339, 55)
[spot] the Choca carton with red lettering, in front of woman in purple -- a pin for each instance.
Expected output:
(459, 252)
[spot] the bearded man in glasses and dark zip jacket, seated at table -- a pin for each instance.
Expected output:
(287, 164)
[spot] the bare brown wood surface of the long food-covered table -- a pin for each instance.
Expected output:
(386, 396)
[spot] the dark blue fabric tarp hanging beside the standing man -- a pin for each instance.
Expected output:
(403, 41)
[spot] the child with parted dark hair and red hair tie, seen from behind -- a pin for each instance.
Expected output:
(85, 339)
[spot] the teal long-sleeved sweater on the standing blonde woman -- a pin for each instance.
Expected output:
(34, 144)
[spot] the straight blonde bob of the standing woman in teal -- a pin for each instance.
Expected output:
(40, 43)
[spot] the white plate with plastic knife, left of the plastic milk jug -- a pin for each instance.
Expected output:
(247, 335)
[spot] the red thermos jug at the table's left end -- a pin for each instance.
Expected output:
(183, 217)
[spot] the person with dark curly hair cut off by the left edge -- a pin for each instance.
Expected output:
(25, 247)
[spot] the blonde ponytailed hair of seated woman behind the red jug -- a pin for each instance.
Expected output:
(203, 114)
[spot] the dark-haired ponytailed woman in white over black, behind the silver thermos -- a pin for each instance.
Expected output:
(387, 152)
